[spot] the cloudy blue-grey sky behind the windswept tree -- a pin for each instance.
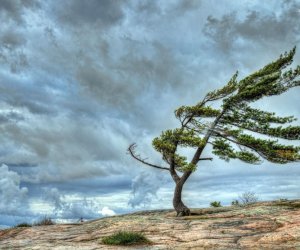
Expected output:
(82, 80)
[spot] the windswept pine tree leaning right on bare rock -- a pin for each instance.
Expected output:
(233, 128)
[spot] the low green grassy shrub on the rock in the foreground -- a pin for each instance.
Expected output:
(125, 238)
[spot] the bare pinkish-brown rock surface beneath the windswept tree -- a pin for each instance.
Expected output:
(264, 225)
